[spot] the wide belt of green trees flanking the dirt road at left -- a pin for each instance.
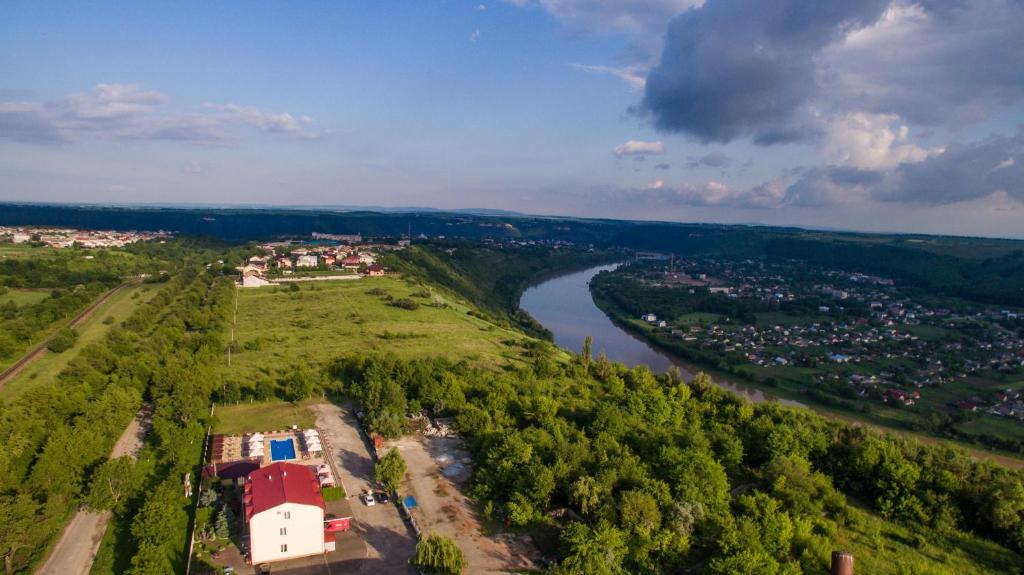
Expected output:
(58, 437)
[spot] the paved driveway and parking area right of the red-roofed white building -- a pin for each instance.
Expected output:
(389, 543)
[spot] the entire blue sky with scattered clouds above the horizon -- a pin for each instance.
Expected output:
(868, 115)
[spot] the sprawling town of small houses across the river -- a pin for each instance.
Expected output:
(847, 334)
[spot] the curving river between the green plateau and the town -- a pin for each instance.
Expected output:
(565, 306)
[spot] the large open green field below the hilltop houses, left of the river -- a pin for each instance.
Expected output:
(279, 329)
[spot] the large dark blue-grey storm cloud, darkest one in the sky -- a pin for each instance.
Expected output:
(745, 68)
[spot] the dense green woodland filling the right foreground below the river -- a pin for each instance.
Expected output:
(623, 471)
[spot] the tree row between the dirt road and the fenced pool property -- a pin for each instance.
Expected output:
(153, 519)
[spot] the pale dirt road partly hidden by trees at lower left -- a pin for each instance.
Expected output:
(74, 553)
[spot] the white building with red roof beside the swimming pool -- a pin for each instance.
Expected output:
(285, 513)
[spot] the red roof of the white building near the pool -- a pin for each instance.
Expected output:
(281, 483)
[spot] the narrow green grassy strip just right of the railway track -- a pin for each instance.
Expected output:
(45, 371)
